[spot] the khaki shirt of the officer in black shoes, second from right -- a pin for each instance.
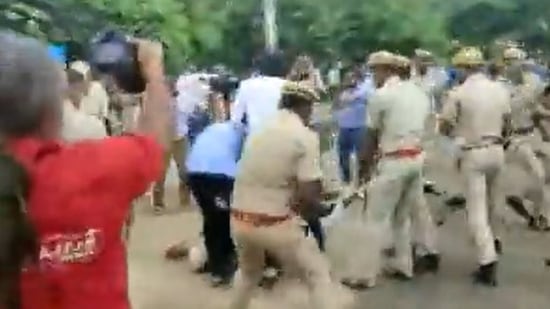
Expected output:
(477, 108)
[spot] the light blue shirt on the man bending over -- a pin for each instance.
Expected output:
(216, 150)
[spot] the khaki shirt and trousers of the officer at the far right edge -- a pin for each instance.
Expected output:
(521, 150)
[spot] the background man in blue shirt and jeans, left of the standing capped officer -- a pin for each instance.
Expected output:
(350, 115)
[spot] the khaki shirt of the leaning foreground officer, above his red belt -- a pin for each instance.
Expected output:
(273, 159)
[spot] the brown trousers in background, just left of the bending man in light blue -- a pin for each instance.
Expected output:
(177, 152)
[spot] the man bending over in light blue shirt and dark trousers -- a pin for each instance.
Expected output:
(211, 167)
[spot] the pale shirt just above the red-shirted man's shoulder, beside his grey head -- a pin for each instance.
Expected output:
(78, 125)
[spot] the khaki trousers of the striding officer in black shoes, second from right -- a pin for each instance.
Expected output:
(481, 170)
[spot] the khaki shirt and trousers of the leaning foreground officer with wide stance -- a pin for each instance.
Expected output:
(273, 159)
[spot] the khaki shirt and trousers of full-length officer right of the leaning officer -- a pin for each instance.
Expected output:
(399, 112)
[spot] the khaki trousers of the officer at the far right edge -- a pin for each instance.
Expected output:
(521, 153)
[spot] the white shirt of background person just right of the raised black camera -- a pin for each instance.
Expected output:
(193, 91)
